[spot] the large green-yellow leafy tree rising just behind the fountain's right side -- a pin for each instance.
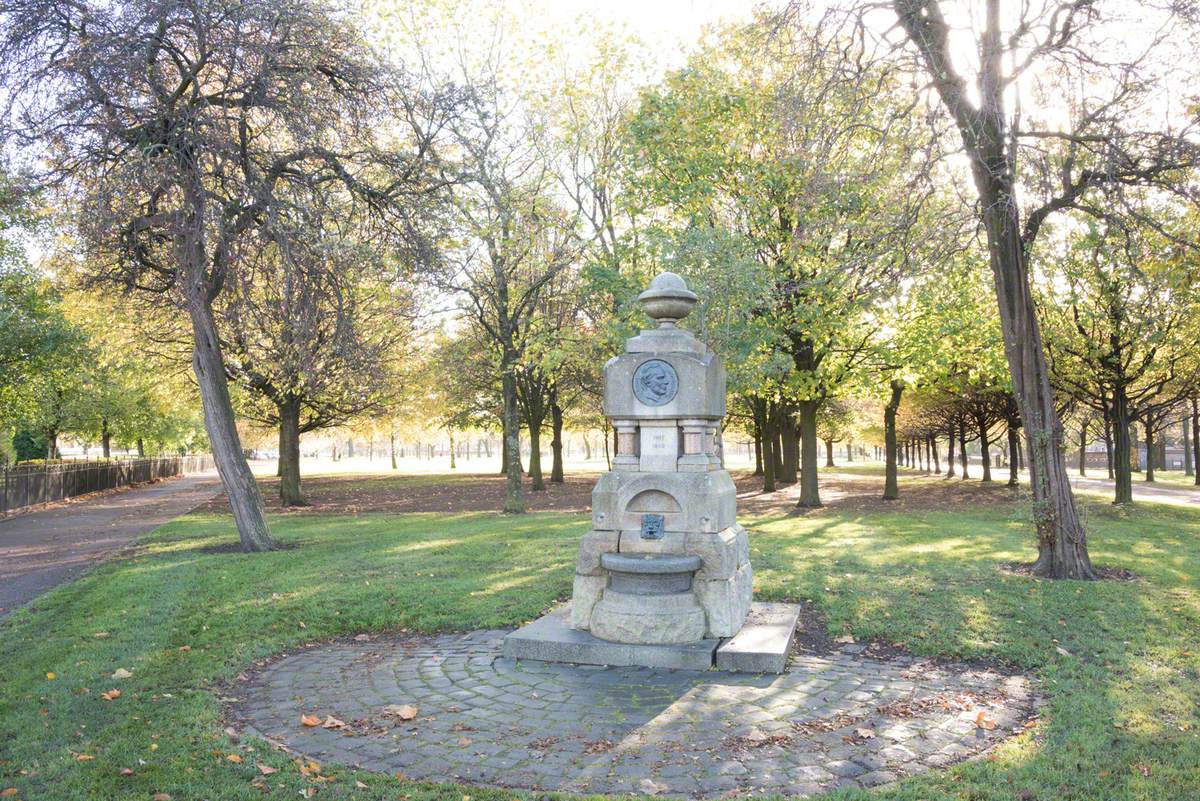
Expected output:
(769, 154)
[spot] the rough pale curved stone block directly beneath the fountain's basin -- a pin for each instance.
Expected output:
(649, 619)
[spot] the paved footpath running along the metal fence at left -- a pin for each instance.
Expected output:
(40, 551)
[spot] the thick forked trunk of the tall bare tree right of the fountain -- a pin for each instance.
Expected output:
(1063, 541)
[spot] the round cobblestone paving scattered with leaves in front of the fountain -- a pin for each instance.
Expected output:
(839, 720)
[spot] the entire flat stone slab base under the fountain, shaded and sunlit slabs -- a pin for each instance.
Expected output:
(761, 647)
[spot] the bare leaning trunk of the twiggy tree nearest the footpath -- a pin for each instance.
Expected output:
(245, 498)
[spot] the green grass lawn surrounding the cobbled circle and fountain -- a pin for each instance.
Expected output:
(187, 617)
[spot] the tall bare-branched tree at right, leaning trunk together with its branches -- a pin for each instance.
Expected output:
(1094, 150)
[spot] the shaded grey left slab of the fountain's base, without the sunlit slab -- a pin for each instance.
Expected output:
(550, 640)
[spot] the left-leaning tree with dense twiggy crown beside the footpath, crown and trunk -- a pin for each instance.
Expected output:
(176, 130)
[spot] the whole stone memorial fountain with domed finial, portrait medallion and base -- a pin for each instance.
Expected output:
(664, 577)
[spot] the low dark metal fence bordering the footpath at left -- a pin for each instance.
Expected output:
(55, 481)
